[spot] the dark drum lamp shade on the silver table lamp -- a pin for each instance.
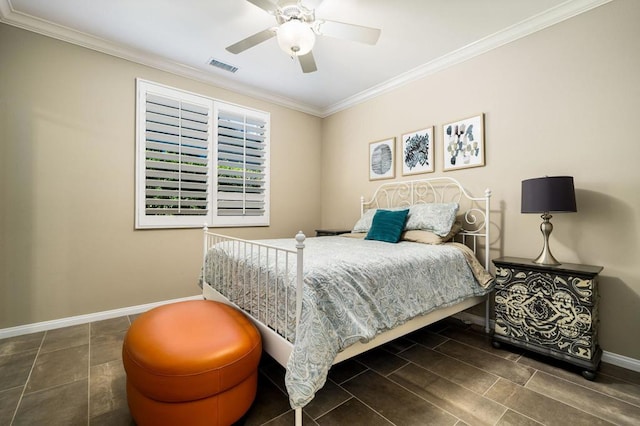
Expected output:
(548, 194)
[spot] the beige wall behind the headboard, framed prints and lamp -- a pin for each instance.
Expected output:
(563, 101)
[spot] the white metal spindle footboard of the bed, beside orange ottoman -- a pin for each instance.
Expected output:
(276, 335)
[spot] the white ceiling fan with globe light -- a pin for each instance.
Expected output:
(297, 29)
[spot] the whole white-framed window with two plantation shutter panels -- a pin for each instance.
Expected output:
(199, 160)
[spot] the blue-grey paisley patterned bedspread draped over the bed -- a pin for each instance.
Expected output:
(353, 290)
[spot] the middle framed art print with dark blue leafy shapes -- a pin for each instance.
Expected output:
(417, 152)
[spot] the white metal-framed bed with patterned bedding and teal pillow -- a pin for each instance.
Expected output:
(318, 301)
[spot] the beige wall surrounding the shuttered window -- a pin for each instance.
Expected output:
(67, 243)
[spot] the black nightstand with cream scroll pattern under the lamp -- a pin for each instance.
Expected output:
(551, 310)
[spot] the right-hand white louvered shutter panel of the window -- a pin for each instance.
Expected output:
(242, 190)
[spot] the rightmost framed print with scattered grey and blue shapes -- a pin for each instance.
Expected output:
(463, 143)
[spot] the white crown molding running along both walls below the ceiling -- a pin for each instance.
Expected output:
(560, 13)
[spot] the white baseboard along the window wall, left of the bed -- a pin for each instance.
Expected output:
(83, 319)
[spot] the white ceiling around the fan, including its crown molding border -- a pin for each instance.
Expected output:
(418, 37)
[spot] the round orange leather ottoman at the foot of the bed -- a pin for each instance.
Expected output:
(191, 363)
